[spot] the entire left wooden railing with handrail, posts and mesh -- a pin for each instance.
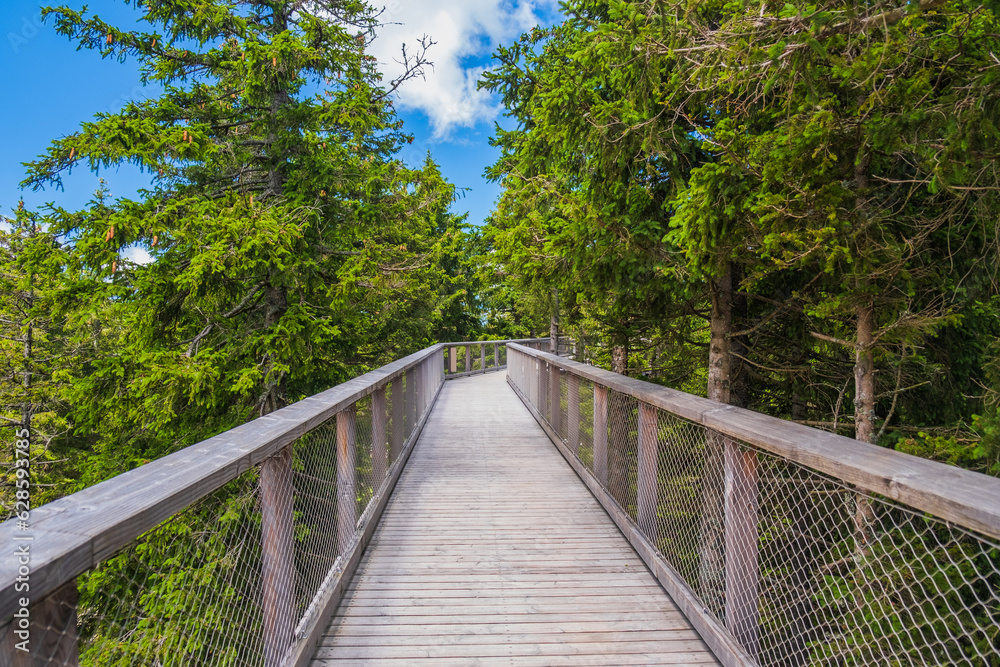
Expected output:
(245, 540)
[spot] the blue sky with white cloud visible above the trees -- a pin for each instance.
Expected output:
(50, 87)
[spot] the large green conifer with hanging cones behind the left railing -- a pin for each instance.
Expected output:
(289, 248)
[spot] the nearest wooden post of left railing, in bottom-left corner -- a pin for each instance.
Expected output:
(49, 631)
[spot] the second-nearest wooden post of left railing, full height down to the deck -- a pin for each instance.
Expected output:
(277, 556)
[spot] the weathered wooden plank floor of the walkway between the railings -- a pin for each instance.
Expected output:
(492, 552)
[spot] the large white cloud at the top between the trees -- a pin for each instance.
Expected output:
(463, 30)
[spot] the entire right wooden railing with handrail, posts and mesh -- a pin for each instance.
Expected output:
(783, 544)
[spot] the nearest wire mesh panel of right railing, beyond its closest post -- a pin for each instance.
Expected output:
(854, 578)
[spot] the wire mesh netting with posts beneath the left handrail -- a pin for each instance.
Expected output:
(238, 576)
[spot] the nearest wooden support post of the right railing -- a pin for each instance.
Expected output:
(742, 573)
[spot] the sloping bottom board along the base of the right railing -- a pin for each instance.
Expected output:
(719, 640)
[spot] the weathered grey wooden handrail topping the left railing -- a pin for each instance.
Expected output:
(76, 533)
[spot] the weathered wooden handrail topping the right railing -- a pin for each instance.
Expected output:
(969, 499)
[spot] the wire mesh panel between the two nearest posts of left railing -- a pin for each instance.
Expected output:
(185, 593)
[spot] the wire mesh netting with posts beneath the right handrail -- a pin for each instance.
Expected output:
(800, 567)
